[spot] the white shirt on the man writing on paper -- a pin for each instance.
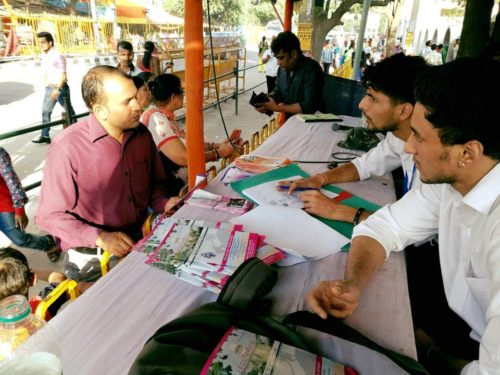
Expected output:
(385, 157)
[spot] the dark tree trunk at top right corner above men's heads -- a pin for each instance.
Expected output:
(475, 31)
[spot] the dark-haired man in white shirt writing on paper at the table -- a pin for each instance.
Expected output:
(387, 107)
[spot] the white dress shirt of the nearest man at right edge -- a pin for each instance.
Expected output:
(469, 251)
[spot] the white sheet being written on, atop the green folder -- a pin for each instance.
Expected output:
(266, 194)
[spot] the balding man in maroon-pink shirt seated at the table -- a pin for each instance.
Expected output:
(101, 175)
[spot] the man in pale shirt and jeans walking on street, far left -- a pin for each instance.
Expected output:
(56, 83)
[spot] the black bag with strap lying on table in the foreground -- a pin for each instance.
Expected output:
(183, 346)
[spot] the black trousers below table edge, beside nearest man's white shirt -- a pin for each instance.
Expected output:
(429, 306)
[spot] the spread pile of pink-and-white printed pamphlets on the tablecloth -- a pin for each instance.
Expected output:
(203, 253)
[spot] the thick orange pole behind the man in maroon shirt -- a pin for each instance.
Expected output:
(193, 53)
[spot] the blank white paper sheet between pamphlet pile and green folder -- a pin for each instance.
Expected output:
(292, 228)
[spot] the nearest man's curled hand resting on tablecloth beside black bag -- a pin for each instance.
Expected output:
(338, 298)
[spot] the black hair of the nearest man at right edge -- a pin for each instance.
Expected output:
(461, 105)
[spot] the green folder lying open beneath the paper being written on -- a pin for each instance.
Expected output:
(294, 170)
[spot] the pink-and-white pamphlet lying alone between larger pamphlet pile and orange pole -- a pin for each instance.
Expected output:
(202, 198)
